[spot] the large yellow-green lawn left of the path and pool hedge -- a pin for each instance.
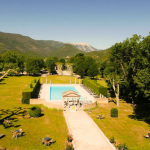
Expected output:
(50, 123)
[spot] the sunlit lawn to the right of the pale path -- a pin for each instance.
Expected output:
(123, 128)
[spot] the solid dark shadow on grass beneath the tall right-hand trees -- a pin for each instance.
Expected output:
(141, 113)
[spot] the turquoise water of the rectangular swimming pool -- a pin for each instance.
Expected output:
(56, 92)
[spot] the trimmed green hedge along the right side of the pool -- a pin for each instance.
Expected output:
(95, 87)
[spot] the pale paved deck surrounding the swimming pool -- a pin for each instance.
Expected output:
(45, 93)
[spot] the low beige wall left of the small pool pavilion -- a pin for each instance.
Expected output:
(49, 105)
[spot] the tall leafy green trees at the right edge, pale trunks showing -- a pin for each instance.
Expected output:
(128, 68)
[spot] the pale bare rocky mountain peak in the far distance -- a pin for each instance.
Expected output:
(84, 47)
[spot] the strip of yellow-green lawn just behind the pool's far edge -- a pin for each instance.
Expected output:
(60, 79)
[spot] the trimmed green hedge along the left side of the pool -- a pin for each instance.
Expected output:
(29, 91)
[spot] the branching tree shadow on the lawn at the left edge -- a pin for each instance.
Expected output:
(10, 115)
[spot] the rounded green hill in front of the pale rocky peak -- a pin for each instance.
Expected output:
(65, 50)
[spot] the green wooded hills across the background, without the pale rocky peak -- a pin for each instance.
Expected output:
(42, 48)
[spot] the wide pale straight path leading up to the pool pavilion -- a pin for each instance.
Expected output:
(86, 134)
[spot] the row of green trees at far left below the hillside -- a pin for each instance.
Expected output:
(20, 63)
